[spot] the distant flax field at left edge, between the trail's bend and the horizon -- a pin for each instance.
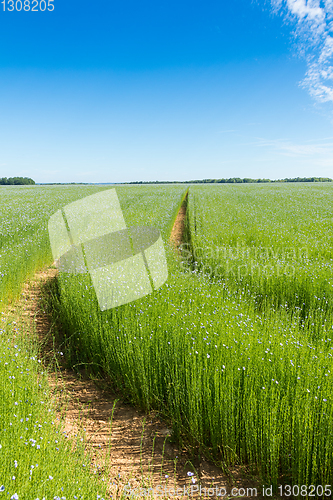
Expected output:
(24, 239)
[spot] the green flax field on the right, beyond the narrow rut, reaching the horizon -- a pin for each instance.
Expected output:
(273, 242)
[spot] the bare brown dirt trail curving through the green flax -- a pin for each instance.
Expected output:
(139, 446)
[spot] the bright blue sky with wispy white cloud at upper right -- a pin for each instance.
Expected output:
(111, 91)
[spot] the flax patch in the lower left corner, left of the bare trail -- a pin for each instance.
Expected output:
(35, 454)
